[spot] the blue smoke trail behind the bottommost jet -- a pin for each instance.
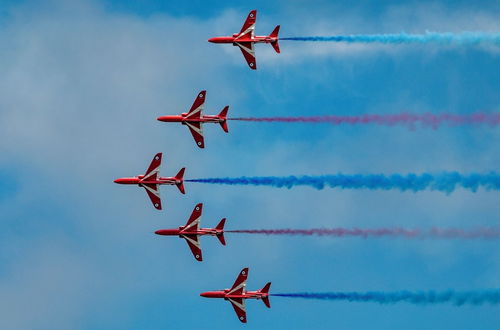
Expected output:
(418, 298)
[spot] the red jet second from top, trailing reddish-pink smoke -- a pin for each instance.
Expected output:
(195, 118)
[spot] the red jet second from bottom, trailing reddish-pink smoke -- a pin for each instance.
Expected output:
(192, 231)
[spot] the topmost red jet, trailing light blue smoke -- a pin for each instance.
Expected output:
(246, 39)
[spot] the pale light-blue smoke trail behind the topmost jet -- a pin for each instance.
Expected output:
(404, 38)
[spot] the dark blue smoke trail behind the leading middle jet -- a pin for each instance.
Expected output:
(445, 182)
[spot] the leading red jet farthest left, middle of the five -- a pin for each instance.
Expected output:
(152, 180)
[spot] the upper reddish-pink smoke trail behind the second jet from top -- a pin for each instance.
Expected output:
(411, 120)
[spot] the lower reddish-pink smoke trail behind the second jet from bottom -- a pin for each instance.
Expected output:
(481, 233)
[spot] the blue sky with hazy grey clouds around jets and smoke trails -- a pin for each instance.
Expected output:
(81, 86)
